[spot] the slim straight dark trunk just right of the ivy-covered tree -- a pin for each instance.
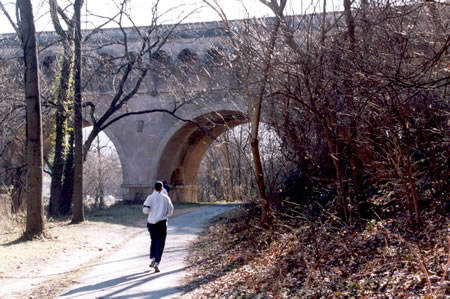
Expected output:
(78, 209)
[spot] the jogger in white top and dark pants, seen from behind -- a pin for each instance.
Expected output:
(159, 207)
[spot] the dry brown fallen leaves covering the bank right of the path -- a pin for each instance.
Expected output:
(322, 258)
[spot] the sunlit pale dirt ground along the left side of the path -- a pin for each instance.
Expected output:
(44, 267)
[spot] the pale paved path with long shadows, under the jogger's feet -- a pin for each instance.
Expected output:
(125, 274)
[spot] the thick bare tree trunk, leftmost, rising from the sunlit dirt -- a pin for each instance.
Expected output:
(35, 161)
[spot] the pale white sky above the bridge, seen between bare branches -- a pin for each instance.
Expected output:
(170, 11)
